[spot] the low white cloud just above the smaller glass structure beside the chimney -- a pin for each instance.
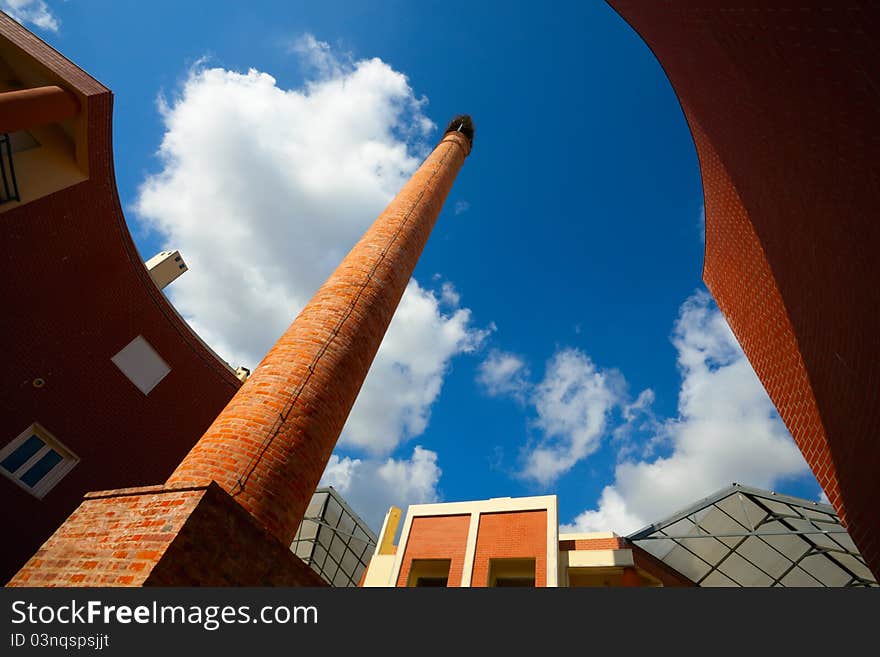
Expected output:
(371, 486)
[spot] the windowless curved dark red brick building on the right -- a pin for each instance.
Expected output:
(784, 108)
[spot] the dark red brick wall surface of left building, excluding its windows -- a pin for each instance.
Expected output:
(75, 291)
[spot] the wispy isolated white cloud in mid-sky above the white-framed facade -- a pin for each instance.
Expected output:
(573, 403)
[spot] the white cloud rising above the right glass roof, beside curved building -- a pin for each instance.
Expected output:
(727, 430)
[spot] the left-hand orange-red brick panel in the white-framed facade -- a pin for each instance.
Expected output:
(436, 537)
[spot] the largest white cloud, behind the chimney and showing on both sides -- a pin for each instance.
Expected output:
(265, 189)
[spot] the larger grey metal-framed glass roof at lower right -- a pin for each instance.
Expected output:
(743, 536)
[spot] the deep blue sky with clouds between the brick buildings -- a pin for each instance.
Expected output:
(558, 338)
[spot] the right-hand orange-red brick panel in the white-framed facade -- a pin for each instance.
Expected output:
(511, 535)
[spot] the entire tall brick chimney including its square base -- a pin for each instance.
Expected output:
(228, 513)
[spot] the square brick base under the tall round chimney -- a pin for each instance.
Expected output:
(163, 536)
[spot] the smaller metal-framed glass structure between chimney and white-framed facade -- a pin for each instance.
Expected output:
(333, 540)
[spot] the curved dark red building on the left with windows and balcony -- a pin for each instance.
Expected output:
(104, 384)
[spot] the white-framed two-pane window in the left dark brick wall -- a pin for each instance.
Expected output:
(36, 461)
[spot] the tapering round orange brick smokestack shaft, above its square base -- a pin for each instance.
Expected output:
(270, 445)
